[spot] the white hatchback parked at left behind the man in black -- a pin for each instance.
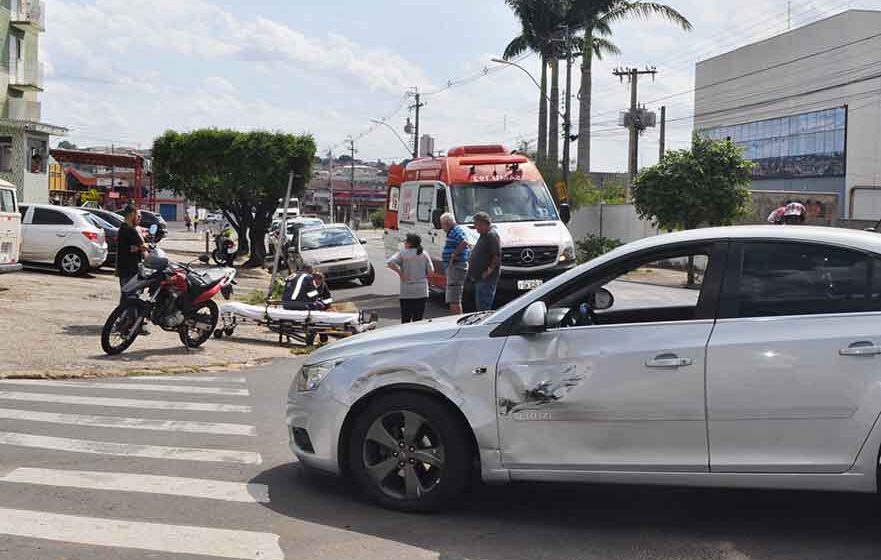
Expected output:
(63, 236)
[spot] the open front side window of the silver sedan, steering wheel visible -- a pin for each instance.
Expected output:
(649, 289)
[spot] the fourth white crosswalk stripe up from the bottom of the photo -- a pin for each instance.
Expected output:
(220, 428)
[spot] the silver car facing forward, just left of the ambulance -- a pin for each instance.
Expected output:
(333, 250)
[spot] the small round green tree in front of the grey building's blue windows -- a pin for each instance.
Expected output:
(707, 185)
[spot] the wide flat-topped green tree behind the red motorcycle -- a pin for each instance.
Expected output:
(244, 174)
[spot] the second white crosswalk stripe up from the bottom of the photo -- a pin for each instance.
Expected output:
(143, 483)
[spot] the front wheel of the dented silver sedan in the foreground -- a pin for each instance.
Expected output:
(407, 451)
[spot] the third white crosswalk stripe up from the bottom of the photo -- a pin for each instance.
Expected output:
(130, 449)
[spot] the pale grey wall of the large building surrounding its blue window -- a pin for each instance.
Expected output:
(781, 76)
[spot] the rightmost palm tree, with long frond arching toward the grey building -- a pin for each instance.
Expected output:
(596, 18)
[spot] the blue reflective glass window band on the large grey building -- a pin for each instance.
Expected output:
(806, 145)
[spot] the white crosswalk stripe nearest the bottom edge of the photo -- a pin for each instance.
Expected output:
(174, 539)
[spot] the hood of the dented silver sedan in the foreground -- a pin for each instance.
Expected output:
(389, 339)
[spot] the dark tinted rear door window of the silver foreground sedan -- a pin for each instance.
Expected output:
(779, 279)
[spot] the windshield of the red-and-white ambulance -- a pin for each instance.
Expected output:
(516, 201)
